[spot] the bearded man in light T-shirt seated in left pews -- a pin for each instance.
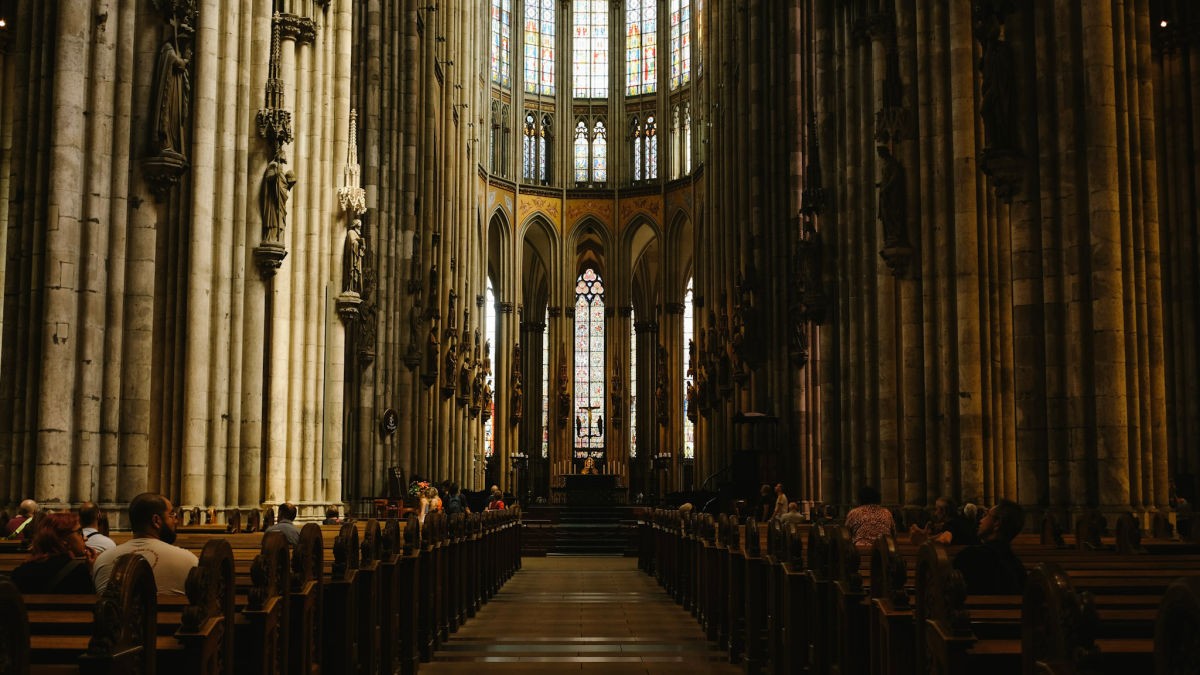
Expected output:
(153, 519)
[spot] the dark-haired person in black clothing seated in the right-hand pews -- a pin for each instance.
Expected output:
(992, 569)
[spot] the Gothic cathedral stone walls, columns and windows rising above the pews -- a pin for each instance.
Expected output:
(267, 252)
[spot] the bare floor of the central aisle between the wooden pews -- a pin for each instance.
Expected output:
(580, 616)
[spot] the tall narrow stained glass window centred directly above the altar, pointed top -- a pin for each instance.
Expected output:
(590, 389)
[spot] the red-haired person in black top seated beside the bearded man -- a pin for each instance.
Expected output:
(59, 563)
